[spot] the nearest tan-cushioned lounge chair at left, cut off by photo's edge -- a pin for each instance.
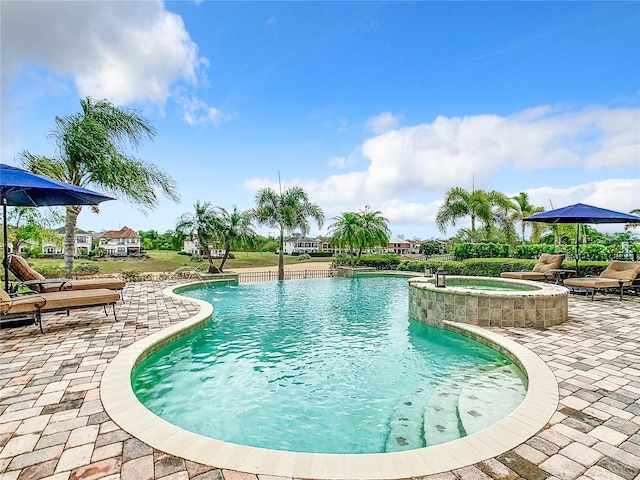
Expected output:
(32, 306)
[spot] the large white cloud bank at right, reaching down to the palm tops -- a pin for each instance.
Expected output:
(429, 159)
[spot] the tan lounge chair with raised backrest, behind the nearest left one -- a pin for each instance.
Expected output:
(35, 281)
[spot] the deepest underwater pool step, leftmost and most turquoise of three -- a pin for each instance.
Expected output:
(406, 423)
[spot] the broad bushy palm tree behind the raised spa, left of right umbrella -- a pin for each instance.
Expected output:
(478, 204)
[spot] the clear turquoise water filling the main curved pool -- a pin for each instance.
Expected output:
(326, 366)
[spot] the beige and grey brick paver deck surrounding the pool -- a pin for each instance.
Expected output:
(53, 426)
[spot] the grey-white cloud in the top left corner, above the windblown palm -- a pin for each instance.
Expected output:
(124, 51)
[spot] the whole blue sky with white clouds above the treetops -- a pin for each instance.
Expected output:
(388, 104)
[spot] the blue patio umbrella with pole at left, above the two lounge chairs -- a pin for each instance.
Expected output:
(21, 188)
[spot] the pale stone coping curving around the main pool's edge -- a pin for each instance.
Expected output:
(525, 421)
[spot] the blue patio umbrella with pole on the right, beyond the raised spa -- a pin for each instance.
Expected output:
(579, 214)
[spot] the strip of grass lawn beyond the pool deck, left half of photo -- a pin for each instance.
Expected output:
(164, 261)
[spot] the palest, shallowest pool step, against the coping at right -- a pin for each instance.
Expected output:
(502, 386)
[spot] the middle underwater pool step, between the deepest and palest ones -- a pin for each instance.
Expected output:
(441, 420)
